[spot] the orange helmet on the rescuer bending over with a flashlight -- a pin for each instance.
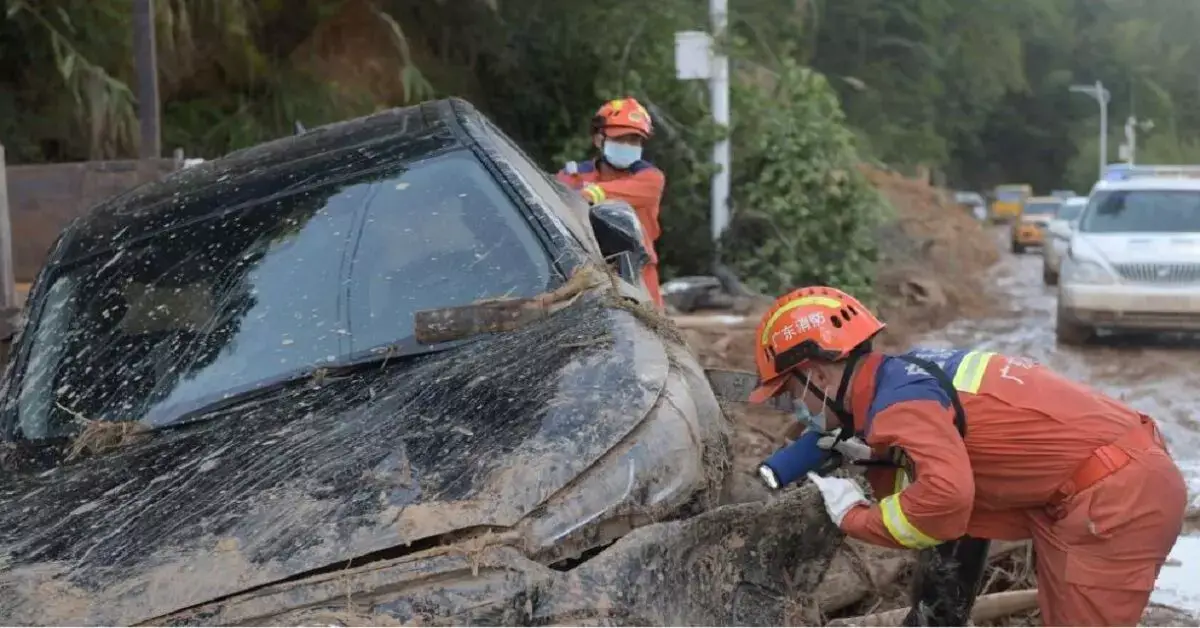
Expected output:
(811, 324)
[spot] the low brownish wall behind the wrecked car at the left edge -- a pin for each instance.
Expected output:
(45, 199)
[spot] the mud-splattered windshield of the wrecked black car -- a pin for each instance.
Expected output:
(193, 315)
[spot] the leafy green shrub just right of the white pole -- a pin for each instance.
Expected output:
(803, 214)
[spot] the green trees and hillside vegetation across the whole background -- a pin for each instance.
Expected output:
(974, 91)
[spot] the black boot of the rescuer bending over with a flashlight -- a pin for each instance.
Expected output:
(947, 582)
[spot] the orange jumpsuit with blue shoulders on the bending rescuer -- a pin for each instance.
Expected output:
(1087, 477)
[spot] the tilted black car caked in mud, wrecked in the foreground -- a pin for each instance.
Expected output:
(382, 372)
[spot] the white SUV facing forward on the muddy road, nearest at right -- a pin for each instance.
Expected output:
(1135, 259)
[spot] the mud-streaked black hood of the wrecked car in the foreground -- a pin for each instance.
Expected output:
(320, 477)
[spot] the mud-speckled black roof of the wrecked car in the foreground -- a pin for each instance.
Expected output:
(321, 155)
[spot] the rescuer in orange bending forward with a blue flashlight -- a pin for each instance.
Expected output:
(1037, 456)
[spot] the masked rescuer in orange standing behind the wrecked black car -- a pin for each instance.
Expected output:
(619, 131)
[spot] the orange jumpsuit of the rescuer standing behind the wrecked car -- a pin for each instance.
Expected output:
(641, 187)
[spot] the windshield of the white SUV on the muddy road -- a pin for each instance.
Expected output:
(1143, 212)
